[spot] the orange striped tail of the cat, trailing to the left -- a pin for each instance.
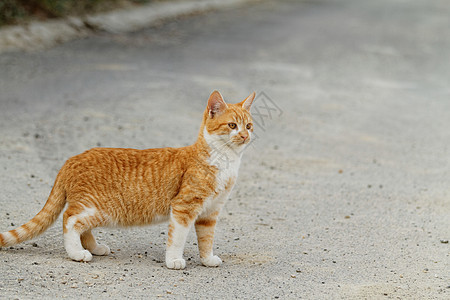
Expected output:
(43, 220)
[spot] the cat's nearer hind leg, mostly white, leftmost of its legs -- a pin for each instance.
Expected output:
(76, 221)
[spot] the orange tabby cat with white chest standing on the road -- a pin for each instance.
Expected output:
(125, 187)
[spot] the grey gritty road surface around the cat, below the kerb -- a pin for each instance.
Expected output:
(343, 195)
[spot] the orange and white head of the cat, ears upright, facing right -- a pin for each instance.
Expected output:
(228, 124)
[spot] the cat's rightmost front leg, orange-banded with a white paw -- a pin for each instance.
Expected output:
(204, 227)
